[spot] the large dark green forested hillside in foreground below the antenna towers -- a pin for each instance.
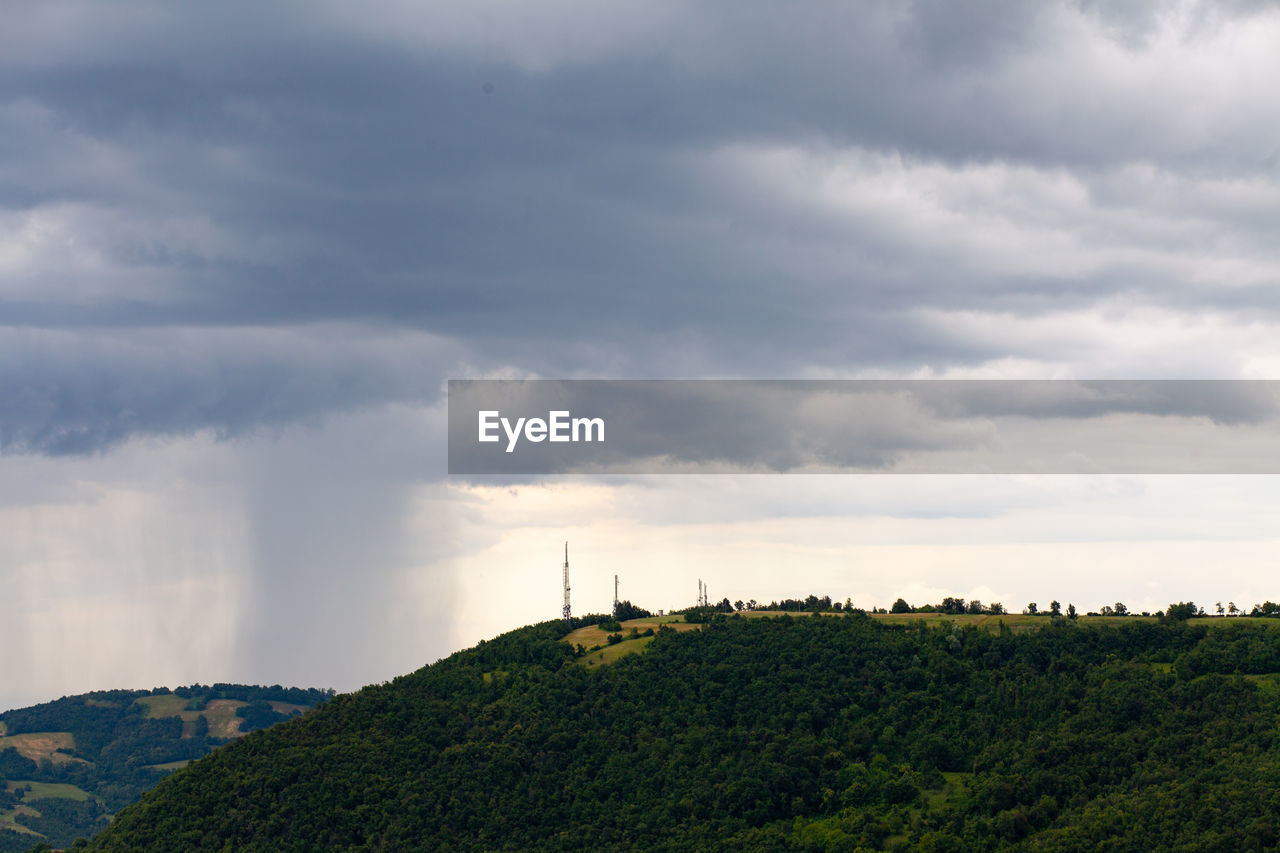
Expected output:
(812, 733)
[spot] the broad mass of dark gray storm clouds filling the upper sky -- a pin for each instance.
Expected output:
(656, 190)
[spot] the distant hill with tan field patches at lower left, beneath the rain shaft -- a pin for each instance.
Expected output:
(67, 765)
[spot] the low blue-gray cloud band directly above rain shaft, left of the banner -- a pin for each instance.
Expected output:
(75, 393)
